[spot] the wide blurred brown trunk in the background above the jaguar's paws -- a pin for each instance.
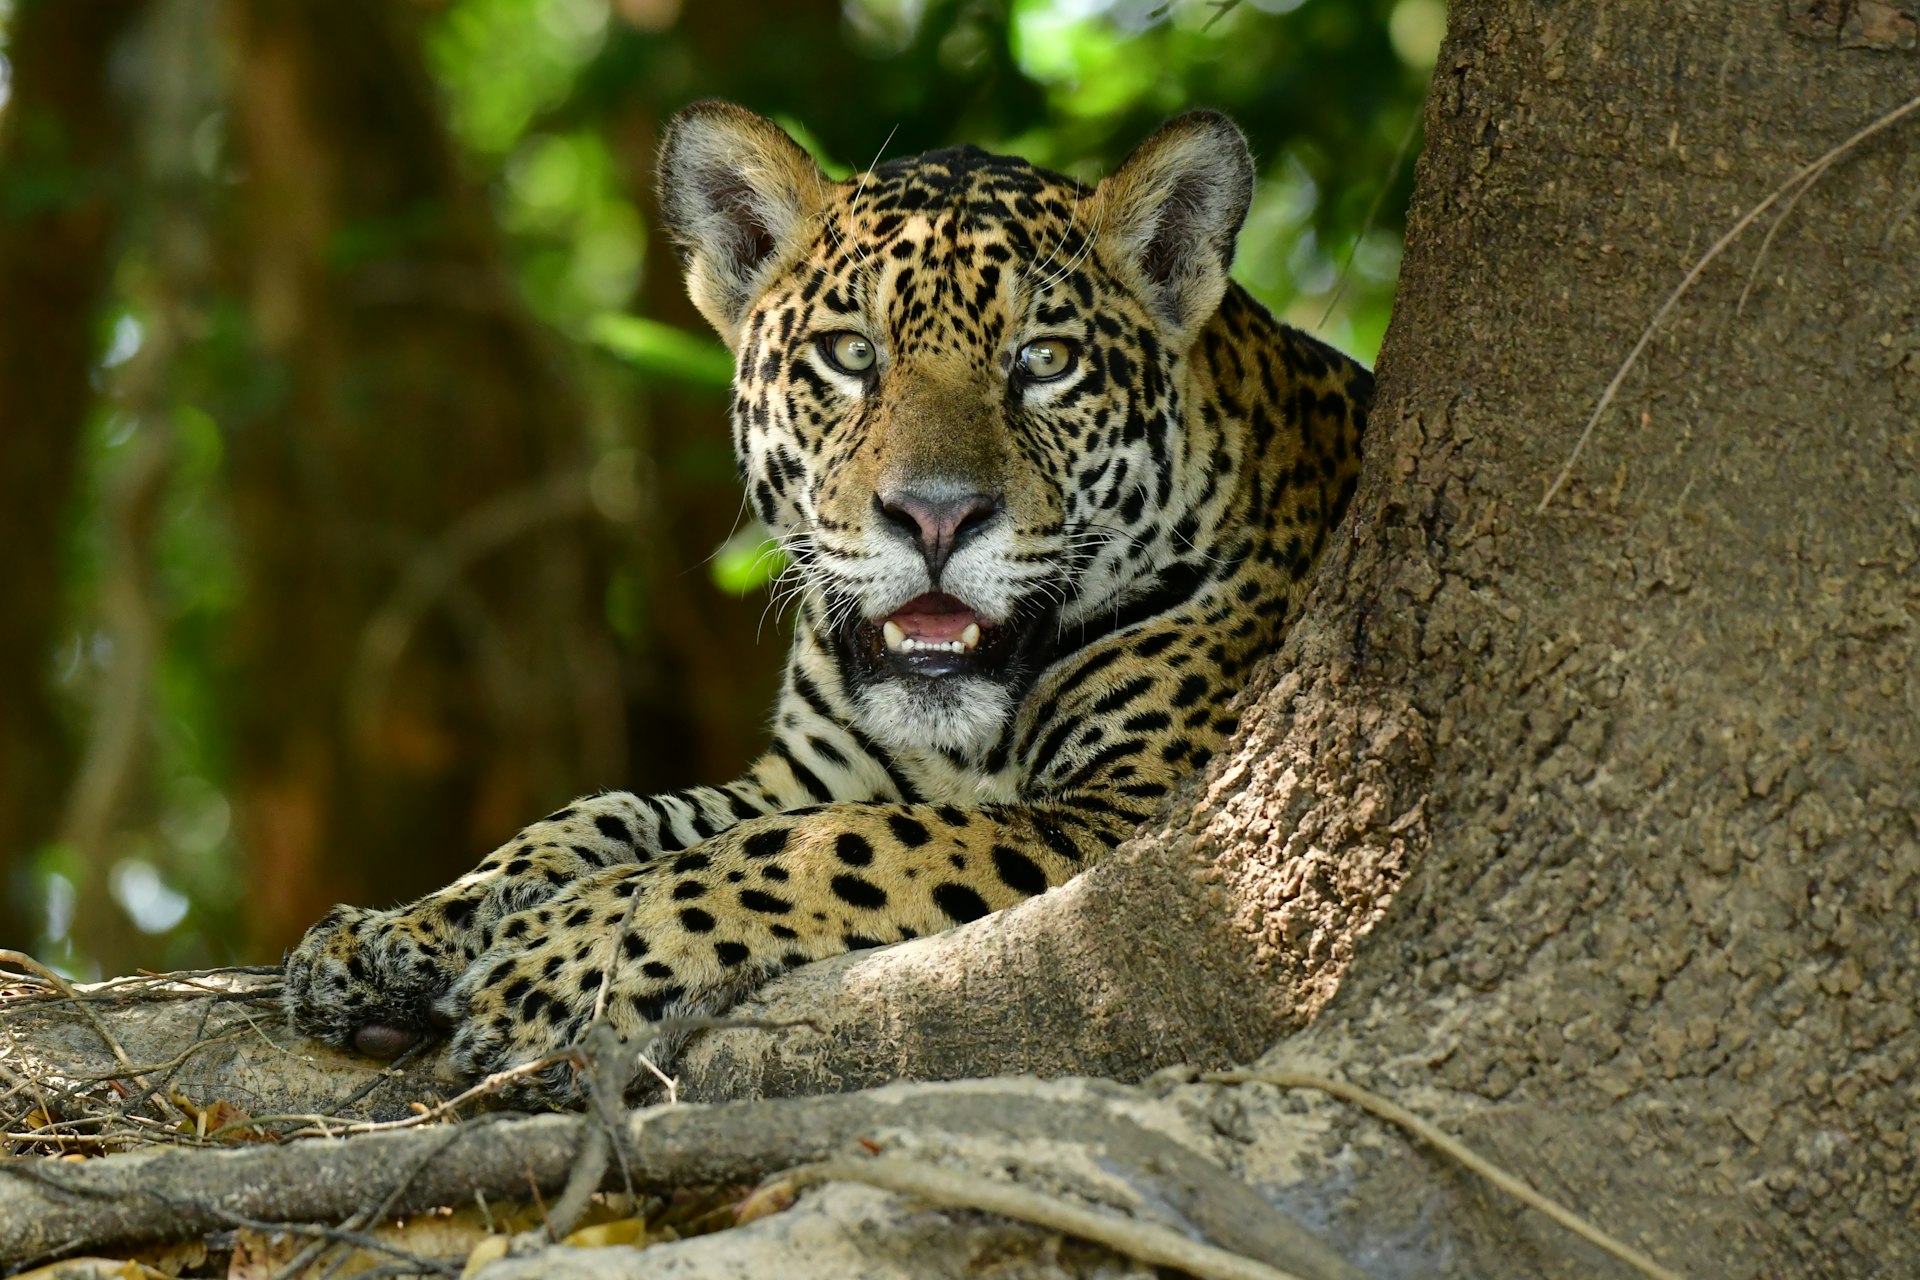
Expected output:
(423, 663)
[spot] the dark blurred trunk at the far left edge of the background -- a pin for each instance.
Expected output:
(66, 135)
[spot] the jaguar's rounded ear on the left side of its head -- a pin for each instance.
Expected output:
(738, 195)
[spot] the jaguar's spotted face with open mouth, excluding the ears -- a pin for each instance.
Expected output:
(930, 419)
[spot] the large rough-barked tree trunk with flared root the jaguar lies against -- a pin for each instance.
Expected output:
(1587, 832)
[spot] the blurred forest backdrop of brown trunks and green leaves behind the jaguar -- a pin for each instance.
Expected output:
(364, 471)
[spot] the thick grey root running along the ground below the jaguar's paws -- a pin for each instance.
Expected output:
(55, 1208)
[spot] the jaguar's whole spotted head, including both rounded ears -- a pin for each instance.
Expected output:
(957, 391)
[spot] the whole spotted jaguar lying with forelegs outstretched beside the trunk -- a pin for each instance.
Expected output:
(1049, 486)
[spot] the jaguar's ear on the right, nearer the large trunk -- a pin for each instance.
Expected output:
(1172, 214)
